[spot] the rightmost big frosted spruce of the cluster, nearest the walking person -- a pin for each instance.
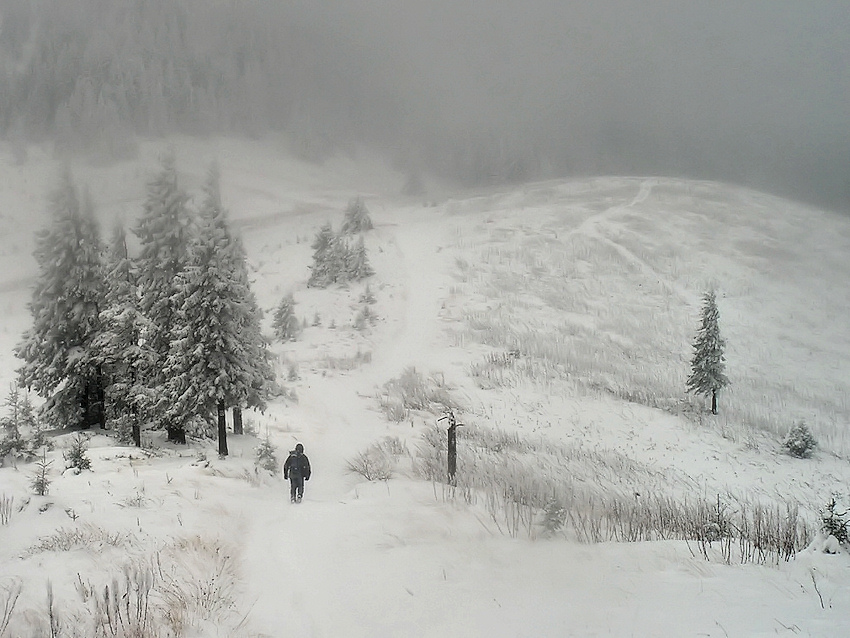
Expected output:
(218, 356)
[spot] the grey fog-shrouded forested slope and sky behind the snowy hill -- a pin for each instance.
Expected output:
(756, 93)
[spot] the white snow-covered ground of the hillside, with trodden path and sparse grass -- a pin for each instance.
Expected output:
(558, 313)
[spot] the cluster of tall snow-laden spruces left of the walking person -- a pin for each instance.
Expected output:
(170, 337)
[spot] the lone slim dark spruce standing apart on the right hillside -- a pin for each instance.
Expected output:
(708, 364)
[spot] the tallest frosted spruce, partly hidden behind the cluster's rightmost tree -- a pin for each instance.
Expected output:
(164, 232)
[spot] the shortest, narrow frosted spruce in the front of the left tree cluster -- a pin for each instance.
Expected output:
(126, 357)
